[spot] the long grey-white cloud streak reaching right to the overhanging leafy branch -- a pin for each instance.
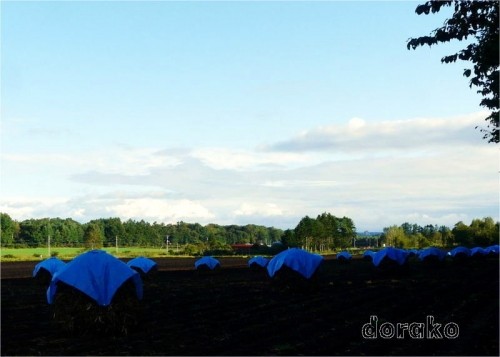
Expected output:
(359, 135)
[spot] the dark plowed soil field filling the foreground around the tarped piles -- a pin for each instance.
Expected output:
(237, 311)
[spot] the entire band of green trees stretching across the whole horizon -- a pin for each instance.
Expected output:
(324, 233)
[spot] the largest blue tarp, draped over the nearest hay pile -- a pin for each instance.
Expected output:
(96, 274)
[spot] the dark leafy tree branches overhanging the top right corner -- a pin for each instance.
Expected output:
(479, 20)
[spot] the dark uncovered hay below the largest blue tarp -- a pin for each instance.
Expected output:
(78, 314)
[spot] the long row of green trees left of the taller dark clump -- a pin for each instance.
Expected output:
(107, 232)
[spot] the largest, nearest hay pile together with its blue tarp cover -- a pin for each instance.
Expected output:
(96, 293)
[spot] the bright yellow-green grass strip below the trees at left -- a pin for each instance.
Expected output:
(64, 253)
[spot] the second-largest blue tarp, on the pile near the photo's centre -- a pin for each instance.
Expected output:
(299, 260)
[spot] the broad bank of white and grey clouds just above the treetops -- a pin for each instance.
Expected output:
(379, 173)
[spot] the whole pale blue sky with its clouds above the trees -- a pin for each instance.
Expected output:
(238, 112)
